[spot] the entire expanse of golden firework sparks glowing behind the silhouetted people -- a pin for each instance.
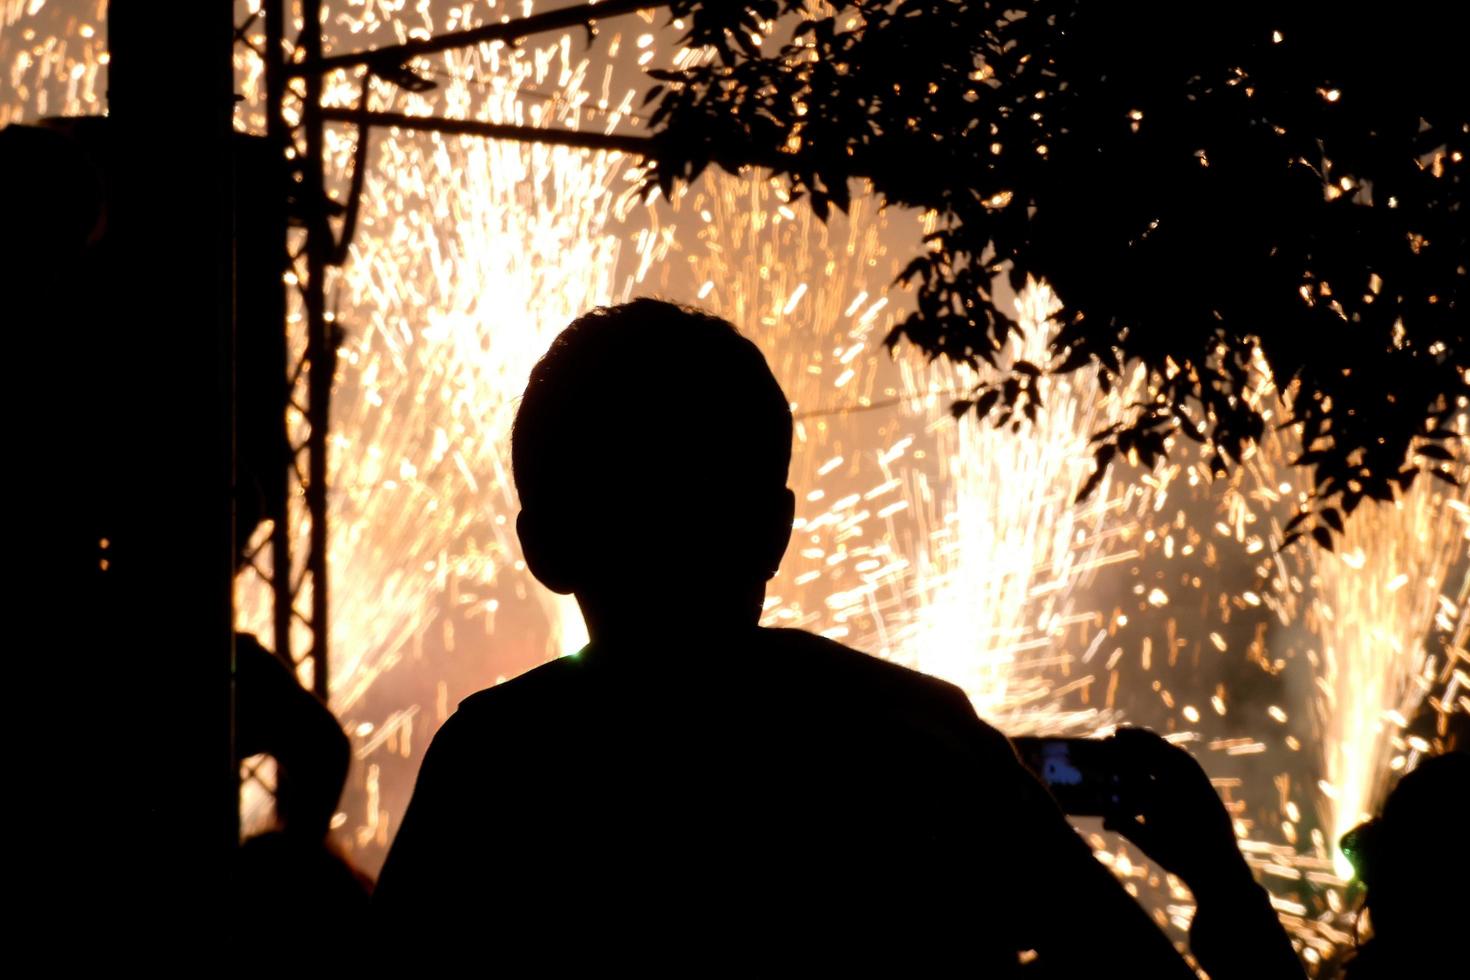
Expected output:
(953, 547)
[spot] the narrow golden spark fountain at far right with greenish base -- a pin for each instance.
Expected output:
(1372, 605)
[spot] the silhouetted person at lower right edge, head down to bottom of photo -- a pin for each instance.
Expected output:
(1415, 866)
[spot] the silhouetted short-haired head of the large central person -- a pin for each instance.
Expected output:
(650, 453)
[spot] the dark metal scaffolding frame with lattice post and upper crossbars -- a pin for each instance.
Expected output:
(296, 124)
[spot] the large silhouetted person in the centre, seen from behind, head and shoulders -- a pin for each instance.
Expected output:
(693, 791)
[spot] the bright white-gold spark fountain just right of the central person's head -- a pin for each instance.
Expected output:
(1008, 543)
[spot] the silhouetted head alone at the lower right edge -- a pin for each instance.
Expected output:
(1412, 859)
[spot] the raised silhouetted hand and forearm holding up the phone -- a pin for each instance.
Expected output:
(1175, 816)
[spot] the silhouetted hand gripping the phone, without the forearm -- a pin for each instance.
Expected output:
(1174, 815)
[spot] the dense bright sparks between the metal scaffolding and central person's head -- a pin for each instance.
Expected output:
(470, 256)
